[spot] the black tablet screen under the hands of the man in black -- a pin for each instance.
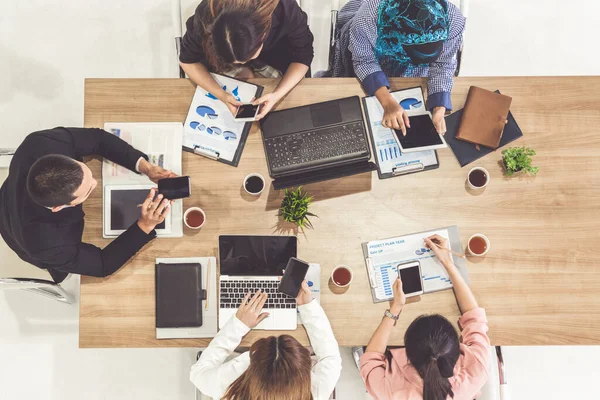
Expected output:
(124, 210)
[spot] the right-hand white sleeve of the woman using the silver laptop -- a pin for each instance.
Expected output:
(326, 372)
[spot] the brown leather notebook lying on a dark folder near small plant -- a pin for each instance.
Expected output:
(484, 117)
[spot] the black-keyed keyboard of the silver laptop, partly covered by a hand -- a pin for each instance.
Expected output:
(232, 293)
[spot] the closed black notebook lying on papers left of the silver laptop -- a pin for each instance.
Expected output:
(179, 295)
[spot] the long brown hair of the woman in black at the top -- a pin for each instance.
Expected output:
(233, 30)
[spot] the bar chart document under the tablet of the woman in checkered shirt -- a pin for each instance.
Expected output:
(390, 160)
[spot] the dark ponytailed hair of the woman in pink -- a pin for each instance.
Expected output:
(432, 347)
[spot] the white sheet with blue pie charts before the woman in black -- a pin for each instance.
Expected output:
(210, 129)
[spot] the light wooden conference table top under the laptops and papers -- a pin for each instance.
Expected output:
(540, 282)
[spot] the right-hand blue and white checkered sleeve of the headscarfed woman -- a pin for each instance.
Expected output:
(441, 72)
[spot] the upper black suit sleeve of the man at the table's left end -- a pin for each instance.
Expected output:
(94, 141)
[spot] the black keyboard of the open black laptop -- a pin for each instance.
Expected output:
(341, 142)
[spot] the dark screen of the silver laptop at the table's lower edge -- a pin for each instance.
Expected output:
(255, 255)
